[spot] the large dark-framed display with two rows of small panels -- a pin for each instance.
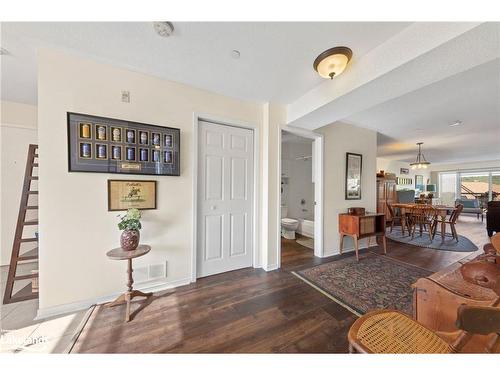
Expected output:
(106, 145)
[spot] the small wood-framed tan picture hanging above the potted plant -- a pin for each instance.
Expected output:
(125, 194)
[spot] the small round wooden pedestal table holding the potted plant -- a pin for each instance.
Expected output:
(128, 255)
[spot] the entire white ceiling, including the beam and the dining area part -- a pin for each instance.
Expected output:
(407, 81)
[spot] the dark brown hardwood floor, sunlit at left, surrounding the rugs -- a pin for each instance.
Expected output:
(248, 310)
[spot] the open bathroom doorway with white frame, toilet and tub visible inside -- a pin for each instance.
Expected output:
(301, 176)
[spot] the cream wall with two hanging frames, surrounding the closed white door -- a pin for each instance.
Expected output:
(77, 228)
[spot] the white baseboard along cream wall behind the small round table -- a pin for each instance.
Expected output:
(150, 286)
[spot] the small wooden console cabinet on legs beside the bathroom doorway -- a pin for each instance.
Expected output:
(362, 226)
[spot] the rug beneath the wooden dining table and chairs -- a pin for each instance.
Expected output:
(449, 243)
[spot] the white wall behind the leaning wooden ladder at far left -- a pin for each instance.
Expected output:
(18, 129)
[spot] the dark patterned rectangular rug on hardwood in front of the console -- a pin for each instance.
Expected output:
(375, 282)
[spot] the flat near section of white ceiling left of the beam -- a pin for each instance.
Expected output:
(275, 64)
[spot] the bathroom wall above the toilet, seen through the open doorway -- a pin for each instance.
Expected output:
(299, 173)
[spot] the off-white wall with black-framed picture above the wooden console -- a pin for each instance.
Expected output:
(339, 139)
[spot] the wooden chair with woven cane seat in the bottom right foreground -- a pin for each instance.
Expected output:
(390, 331)
